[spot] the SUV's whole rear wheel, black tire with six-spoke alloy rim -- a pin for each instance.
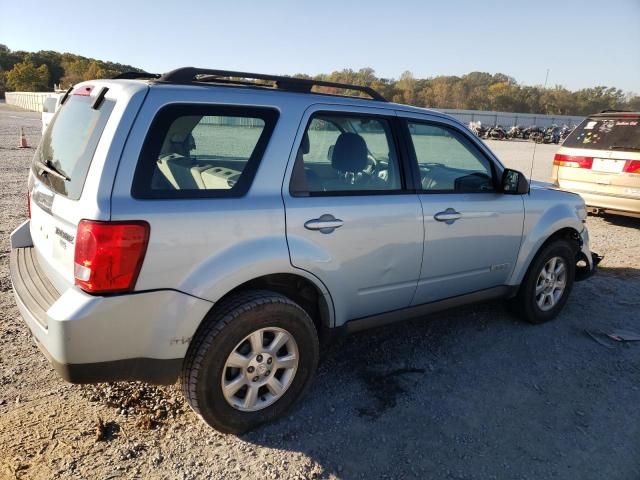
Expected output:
(250, 362)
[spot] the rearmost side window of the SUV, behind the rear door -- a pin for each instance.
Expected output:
(196, 151)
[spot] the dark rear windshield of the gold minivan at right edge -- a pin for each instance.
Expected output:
(622, 133)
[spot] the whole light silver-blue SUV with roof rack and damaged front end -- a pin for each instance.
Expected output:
(213, 226)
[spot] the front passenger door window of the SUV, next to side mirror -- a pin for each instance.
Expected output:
(448, 162)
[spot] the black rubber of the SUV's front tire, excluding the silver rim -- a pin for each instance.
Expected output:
(525, 304)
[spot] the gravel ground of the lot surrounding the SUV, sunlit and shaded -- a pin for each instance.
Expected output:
(471, 394)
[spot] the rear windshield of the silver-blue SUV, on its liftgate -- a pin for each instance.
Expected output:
(68, 145)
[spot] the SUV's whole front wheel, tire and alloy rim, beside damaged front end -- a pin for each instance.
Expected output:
(547, 284)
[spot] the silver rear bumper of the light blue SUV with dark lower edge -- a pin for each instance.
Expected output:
(139, 336)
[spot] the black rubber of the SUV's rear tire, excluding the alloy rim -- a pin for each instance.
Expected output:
(233, 319)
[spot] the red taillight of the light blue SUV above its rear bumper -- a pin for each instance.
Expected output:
(109, 255)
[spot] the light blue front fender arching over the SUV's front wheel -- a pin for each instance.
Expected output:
(542, 221)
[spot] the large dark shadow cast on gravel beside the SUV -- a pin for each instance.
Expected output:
(472, 393)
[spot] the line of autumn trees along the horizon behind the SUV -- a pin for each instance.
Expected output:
(40, 71)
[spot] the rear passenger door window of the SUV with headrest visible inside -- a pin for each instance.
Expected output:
(346, 153)
